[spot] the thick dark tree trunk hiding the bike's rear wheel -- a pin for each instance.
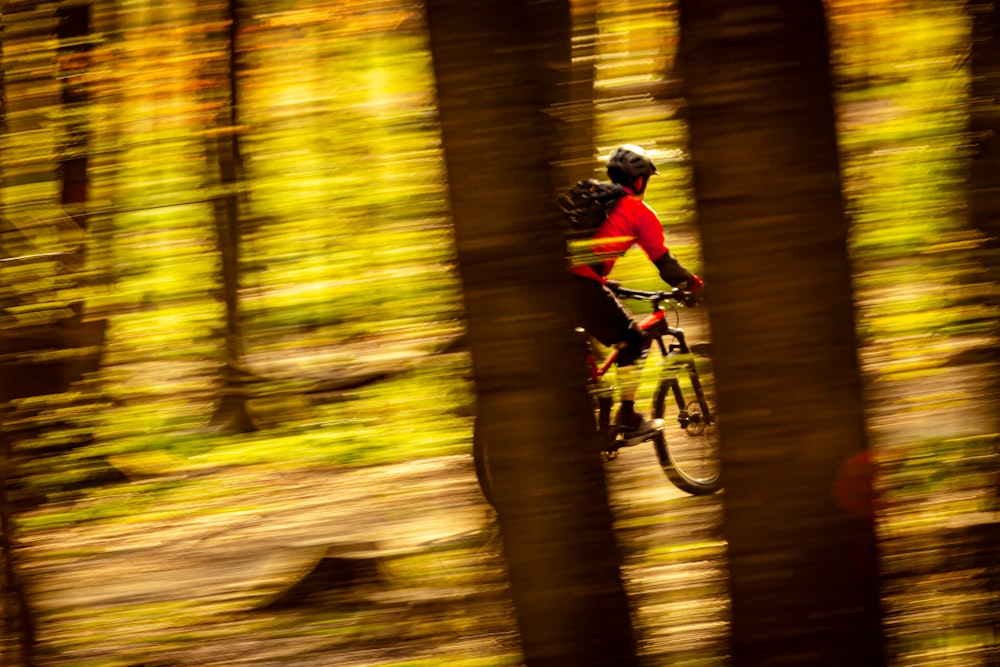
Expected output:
(498, 67)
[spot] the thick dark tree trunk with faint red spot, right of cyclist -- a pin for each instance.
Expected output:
(803, 577)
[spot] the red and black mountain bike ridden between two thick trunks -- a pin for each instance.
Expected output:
(690, 459)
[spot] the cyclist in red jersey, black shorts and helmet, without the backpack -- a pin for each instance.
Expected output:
(598, 310)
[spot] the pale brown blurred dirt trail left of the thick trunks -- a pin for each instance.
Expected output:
(271, 526)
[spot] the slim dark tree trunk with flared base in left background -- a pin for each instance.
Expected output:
(222, 147)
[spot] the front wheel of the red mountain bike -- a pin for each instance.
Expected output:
(691, 461)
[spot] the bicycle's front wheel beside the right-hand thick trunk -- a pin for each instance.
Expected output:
(690, 457)
